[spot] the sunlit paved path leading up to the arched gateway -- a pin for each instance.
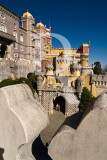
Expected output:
(55, 121)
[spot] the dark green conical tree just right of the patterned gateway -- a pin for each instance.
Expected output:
(86, 99)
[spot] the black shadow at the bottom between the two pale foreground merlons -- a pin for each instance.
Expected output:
(39, 151)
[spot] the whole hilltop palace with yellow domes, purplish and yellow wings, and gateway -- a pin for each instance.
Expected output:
(28, 48)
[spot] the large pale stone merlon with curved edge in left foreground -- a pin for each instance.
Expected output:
(22, 118)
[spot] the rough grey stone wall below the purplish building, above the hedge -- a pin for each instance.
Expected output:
(20, 68)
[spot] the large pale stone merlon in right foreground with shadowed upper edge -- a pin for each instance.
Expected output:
(83, 139)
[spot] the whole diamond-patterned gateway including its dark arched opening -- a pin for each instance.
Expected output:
(68, 102)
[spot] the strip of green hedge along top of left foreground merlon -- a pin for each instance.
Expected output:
(8, 82)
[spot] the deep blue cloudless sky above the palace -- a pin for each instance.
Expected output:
(79, 21)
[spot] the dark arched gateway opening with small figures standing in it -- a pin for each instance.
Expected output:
(59, 103)
